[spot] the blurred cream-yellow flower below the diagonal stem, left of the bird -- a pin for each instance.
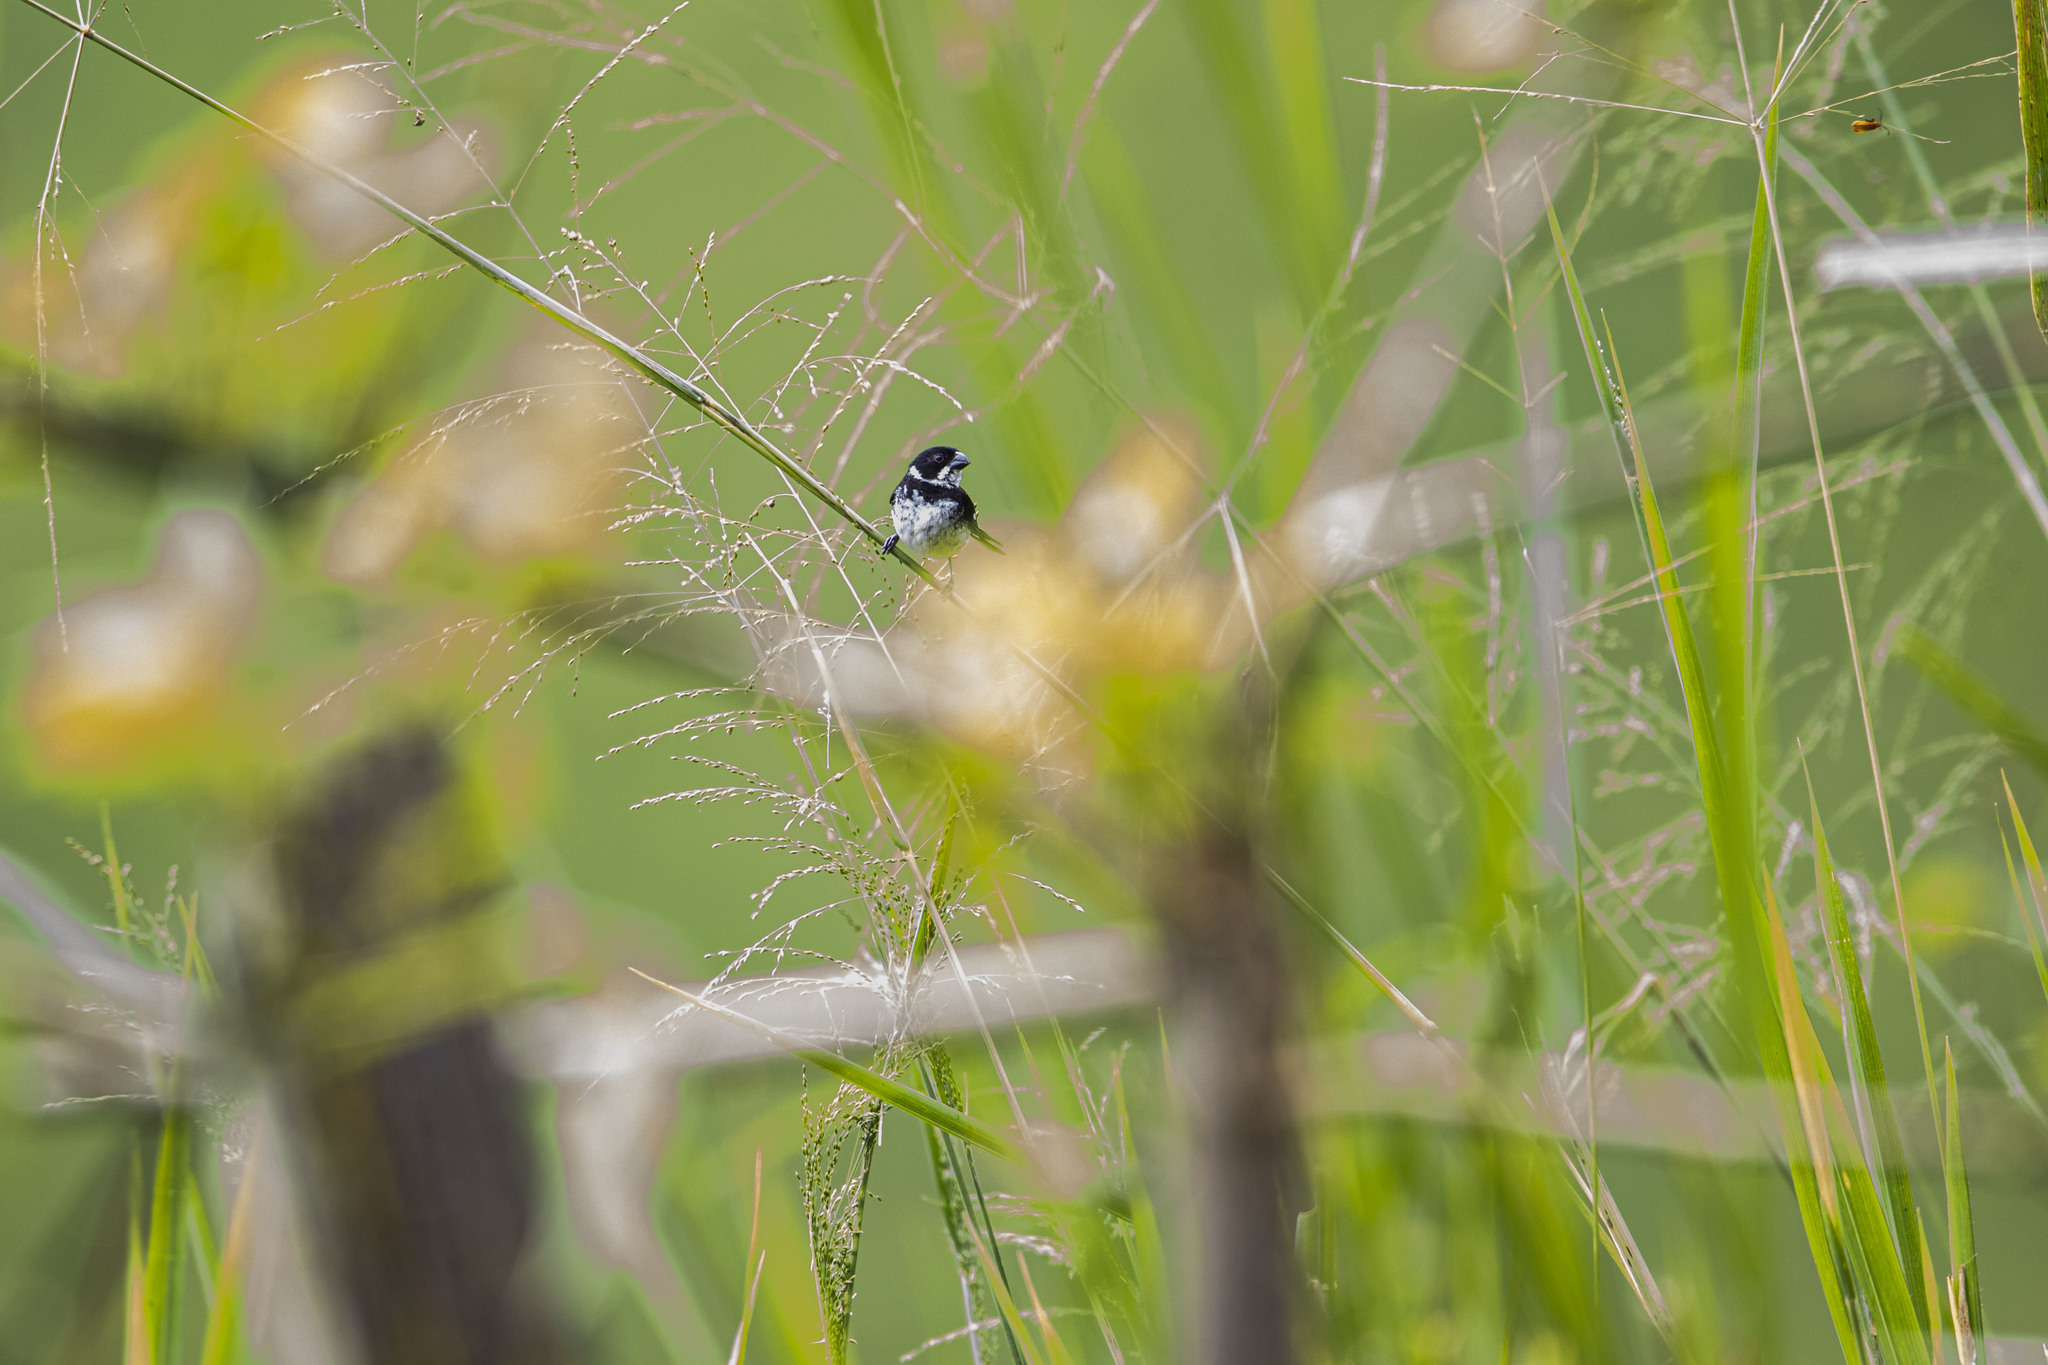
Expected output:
(531, 472)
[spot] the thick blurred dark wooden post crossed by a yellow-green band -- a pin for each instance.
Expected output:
(409, 1135)
